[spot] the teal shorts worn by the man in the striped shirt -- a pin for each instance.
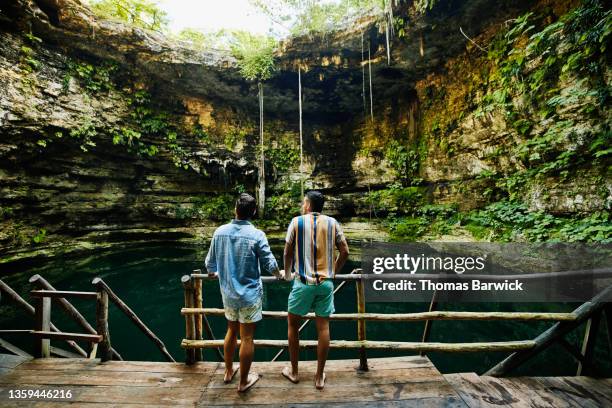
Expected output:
(304, 298)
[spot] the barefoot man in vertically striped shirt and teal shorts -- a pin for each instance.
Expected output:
(310, 249)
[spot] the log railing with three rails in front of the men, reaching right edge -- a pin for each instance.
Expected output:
(523, 349)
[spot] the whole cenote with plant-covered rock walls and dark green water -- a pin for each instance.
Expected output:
(123, 146)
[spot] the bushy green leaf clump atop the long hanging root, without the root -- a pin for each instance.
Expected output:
(255, 55)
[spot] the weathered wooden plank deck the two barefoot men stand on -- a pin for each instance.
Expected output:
(391, 382)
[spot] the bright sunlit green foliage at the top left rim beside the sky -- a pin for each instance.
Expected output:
(138, 13)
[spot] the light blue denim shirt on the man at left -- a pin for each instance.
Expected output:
(238, 252)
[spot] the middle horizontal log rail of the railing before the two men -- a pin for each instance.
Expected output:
(401, 317)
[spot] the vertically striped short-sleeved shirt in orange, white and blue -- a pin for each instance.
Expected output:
(314, 237)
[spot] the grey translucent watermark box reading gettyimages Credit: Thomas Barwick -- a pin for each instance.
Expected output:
(486, 272)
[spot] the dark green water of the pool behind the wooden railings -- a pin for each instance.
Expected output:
(148, 280)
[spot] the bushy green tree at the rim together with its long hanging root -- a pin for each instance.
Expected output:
(255, 56)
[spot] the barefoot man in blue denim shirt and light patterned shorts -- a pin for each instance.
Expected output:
(238, 252)
